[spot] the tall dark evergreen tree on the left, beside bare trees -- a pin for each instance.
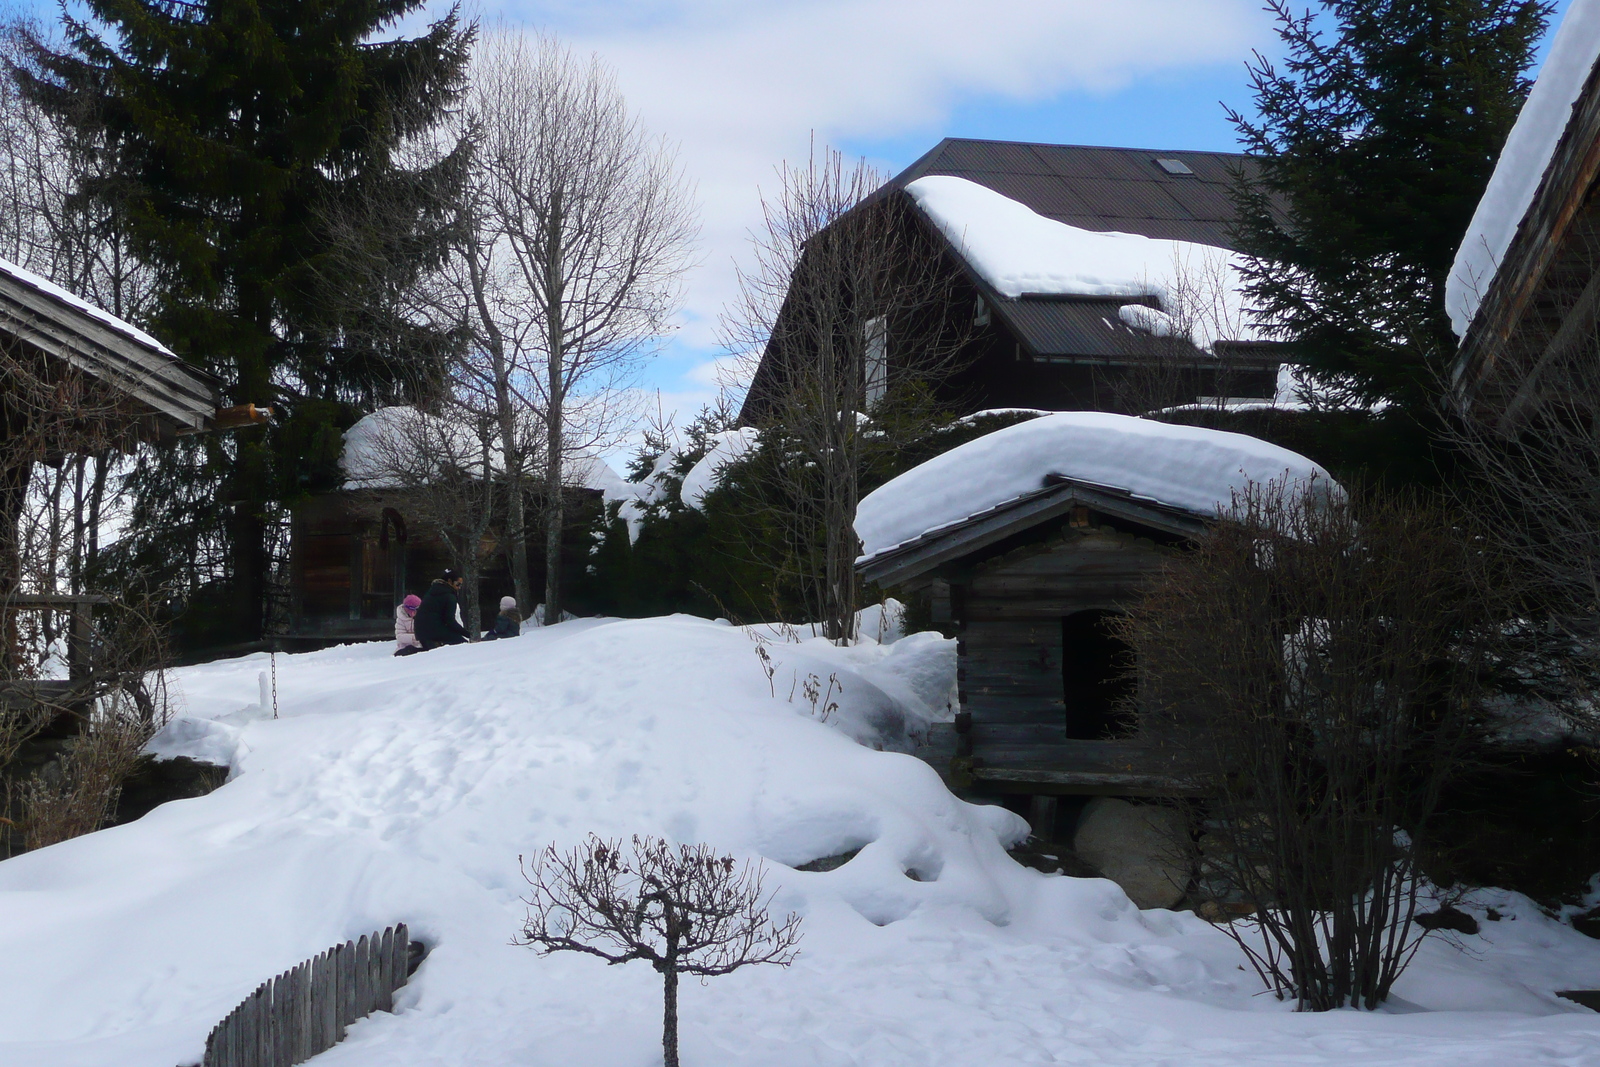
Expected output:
(244, 138)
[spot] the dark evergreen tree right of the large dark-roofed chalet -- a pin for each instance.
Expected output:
(1377, 138)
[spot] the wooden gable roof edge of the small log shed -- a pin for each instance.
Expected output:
(993, 526)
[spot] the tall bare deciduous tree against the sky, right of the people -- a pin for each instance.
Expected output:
(580, 228)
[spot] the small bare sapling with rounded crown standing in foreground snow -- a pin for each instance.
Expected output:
(684, 909)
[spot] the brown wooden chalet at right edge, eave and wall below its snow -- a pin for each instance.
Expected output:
(1545, 297)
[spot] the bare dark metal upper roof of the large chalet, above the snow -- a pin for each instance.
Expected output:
(1102, 190)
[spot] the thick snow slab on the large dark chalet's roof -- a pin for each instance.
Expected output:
(1023, 254)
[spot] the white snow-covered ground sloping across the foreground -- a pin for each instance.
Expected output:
(404, 789)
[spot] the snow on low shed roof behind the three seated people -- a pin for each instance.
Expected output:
(391, 439)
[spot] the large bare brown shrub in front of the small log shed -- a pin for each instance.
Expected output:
(1319, 668)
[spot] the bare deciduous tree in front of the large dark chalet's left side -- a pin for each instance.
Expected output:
(849, 324)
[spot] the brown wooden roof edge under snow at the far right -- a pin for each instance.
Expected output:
(1564, 188)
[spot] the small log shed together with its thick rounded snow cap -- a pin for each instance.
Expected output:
(1028, 541)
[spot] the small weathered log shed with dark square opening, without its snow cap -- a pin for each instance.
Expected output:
(1028, 589)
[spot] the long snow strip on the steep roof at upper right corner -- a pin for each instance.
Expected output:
(1524, 161)
